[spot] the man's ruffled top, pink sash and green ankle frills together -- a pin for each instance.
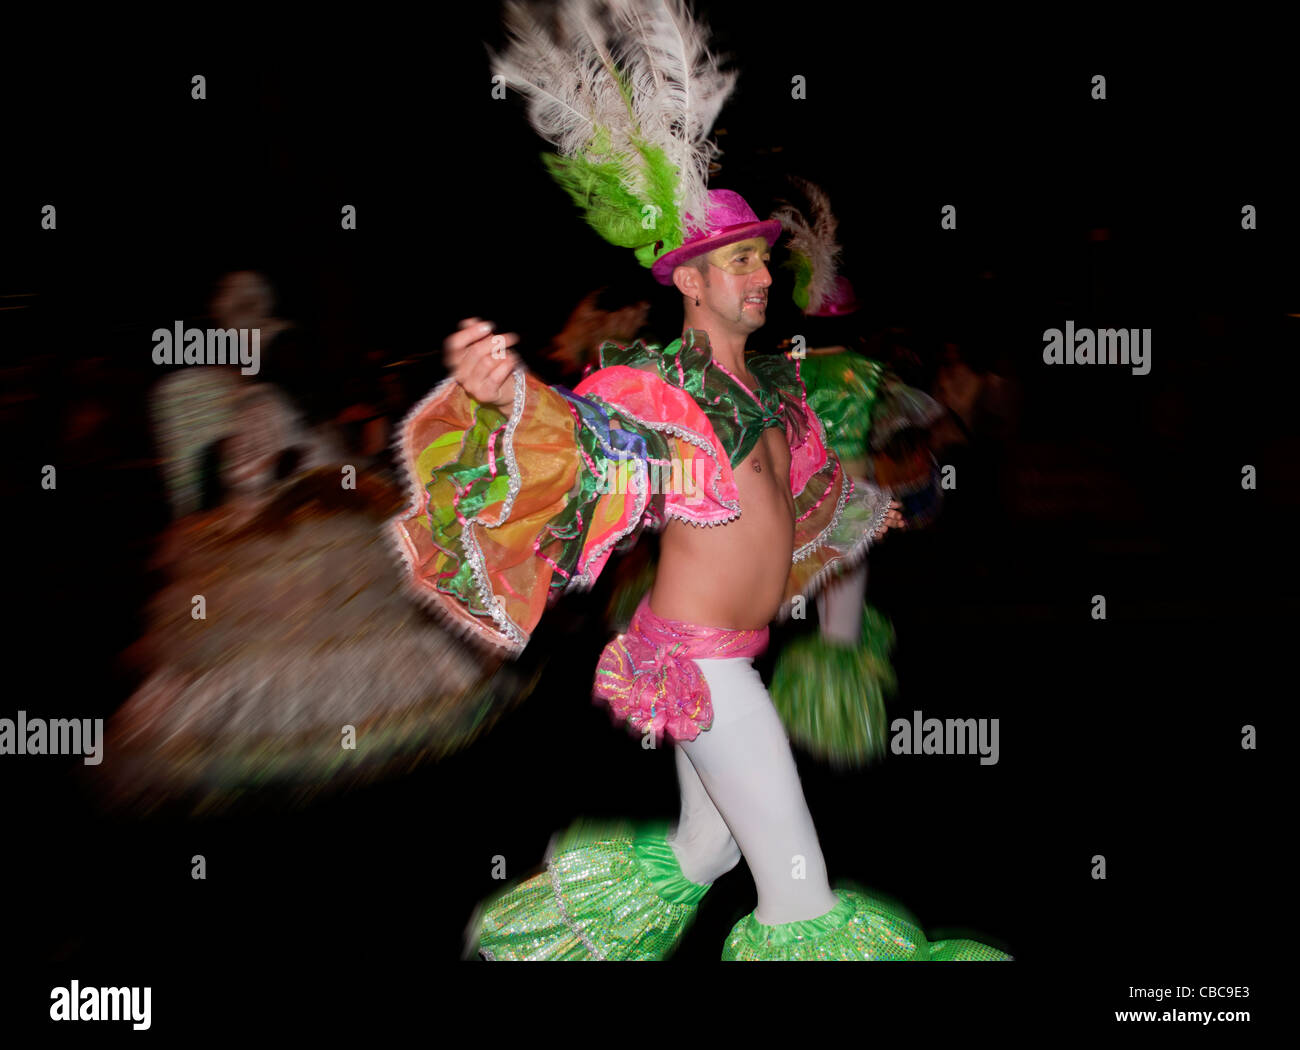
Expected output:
(509, 513)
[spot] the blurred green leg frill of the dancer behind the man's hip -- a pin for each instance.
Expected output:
(831, 697)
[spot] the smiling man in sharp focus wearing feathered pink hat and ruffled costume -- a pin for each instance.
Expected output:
(512, 506)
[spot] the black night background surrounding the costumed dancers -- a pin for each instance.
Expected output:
(1120, 737)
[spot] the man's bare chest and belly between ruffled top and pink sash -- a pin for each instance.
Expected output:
(734, 576)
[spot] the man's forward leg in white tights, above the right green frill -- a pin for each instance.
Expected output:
(746, 765)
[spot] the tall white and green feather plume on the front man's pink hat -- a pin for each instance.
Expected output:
(627, 92)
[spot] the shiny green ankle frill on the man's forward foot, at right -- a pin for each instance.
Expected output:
(864, 927)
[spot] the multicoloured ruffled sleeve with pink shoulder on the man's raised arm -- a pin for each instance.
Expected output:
(508, 511)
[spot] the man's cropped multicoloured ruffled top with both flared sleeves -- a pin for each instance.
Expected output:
(510, 513)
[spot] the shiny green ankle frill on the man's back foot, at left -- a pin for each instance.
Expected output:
(612, 891)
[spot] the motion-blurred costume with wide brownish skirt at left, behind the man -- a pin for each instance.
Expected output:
(306, 627)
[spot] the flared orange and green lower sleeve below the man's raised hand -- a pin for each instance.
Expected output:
(506, 511)
